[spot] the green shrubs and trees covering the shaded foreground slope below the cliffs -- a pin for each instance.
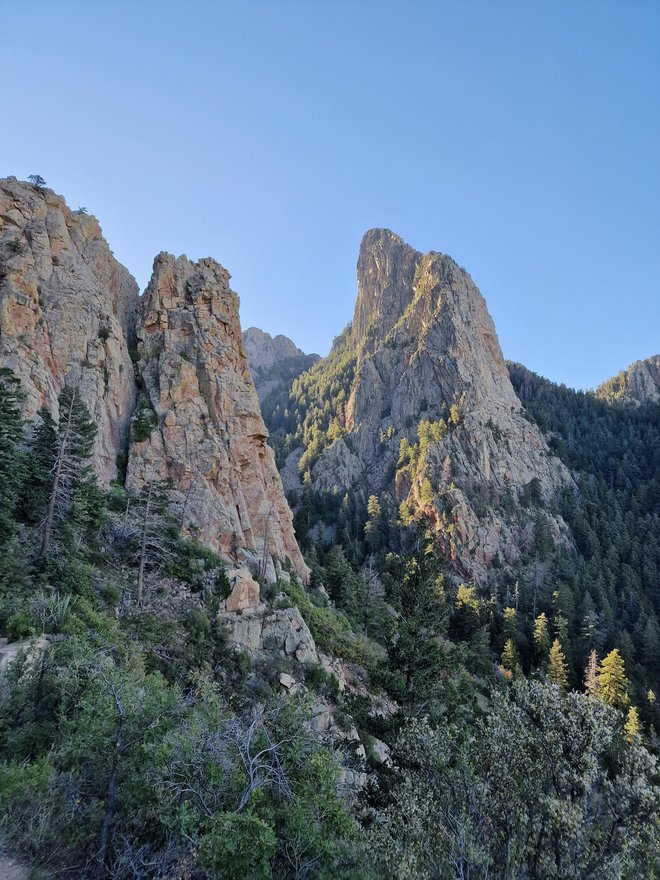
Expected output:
(135, 742)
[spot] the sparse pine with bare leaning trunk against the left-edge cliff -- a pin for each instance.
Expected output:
(75, 438)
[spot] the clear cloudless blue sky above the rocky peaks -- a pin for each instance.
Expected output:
(521, 138)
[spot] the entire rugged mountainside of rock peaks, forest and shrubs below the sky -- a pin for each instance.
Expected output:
(457, 678)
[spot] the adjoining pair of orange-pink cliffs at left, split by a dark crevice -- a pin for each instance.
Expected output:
(69, 313)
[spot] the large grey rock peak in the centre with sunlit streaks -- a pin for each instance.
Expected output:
(425, 341)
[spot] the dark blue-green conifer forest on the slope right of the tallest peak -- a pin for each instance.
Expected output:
(609, 590)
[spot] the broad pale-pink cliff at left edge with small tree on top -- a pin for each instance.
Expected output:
(67, 312)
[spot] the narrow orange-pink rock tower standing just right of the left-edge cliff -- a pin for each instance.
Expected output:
(204, 430)
